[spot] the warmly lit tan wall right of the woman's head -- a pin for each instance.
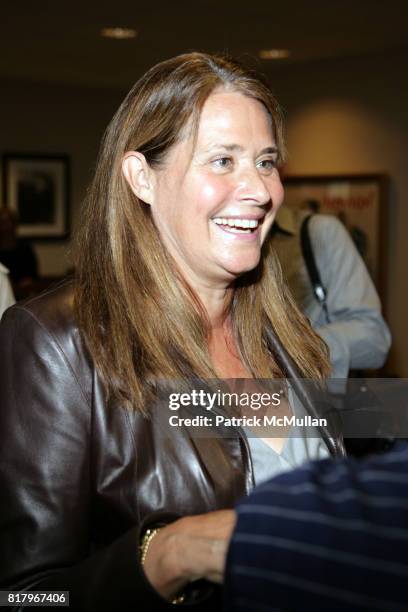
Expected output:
(351, 117)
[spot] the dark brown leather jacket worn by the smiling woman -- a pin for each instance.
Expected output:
(80, 476)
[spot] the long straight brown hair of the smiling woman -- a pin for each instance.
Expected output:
(139, 317)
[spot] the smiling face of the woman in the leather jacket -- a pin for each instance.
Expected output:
(214, 205)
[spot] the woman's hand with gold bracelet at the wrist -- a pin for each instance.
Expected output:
(191, 548)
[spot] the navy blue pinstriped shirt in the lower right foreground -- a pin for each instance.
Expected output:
(329, 536)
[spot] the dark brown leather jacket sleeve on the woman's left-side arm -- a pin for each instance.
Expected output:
(46, 480)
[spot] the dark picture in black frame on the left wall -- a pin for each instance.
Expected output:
(37, 188)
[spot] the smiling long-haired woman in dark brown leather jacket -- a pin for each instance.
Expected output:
(175, 282)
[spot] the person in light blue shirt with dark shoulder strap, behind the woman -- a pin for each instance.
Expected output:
(349, 320)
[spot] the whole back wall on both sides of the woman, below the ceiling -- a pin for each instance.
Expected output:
(343, 116)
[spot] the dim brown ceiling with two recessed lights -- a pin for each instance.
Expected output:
(59, 41)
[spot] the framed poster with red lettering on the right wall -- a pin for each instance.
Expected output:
(358, 201)
